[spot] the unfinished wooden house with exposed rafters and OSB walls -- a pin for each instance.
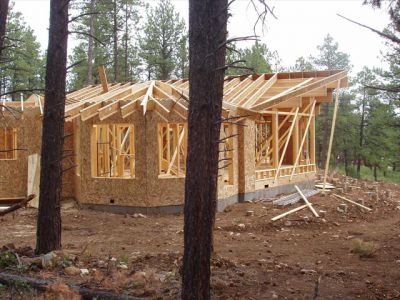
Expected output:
(128, 141)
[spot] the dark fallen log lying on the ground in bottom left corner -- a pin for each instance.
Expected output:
(43, 285)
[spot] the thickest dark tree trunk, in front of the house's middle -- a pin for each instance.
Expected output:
(207, 32)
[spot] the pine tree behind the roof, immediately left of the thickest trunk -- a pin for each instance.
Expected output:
(163, 30)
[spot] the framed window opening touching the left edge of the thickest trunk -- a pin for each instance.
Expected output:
(172, 149)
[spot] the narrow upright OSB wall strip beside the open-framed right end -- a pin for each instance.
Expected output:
(246, 157)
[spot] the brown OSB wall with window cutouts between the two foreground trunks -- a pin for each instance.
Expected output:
(146, 189)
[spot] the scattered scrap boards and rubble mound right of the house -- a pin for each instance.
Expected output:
(348, 192)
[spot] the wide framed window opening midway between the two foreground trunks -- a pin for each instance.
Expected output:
(113, 151)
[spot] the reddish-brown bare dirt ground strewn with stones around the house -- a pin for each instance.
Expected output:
(297, 257)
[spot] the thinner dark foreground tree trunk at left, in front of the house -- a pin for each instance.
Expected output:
(48, 236)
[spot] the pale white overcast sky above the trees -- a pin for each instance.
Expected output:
(300, 26)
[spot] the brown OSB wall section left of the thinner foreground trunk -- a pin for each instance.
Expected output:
(13, 175)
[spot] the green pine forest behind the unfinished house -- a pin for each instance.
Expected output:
(135, 42)
